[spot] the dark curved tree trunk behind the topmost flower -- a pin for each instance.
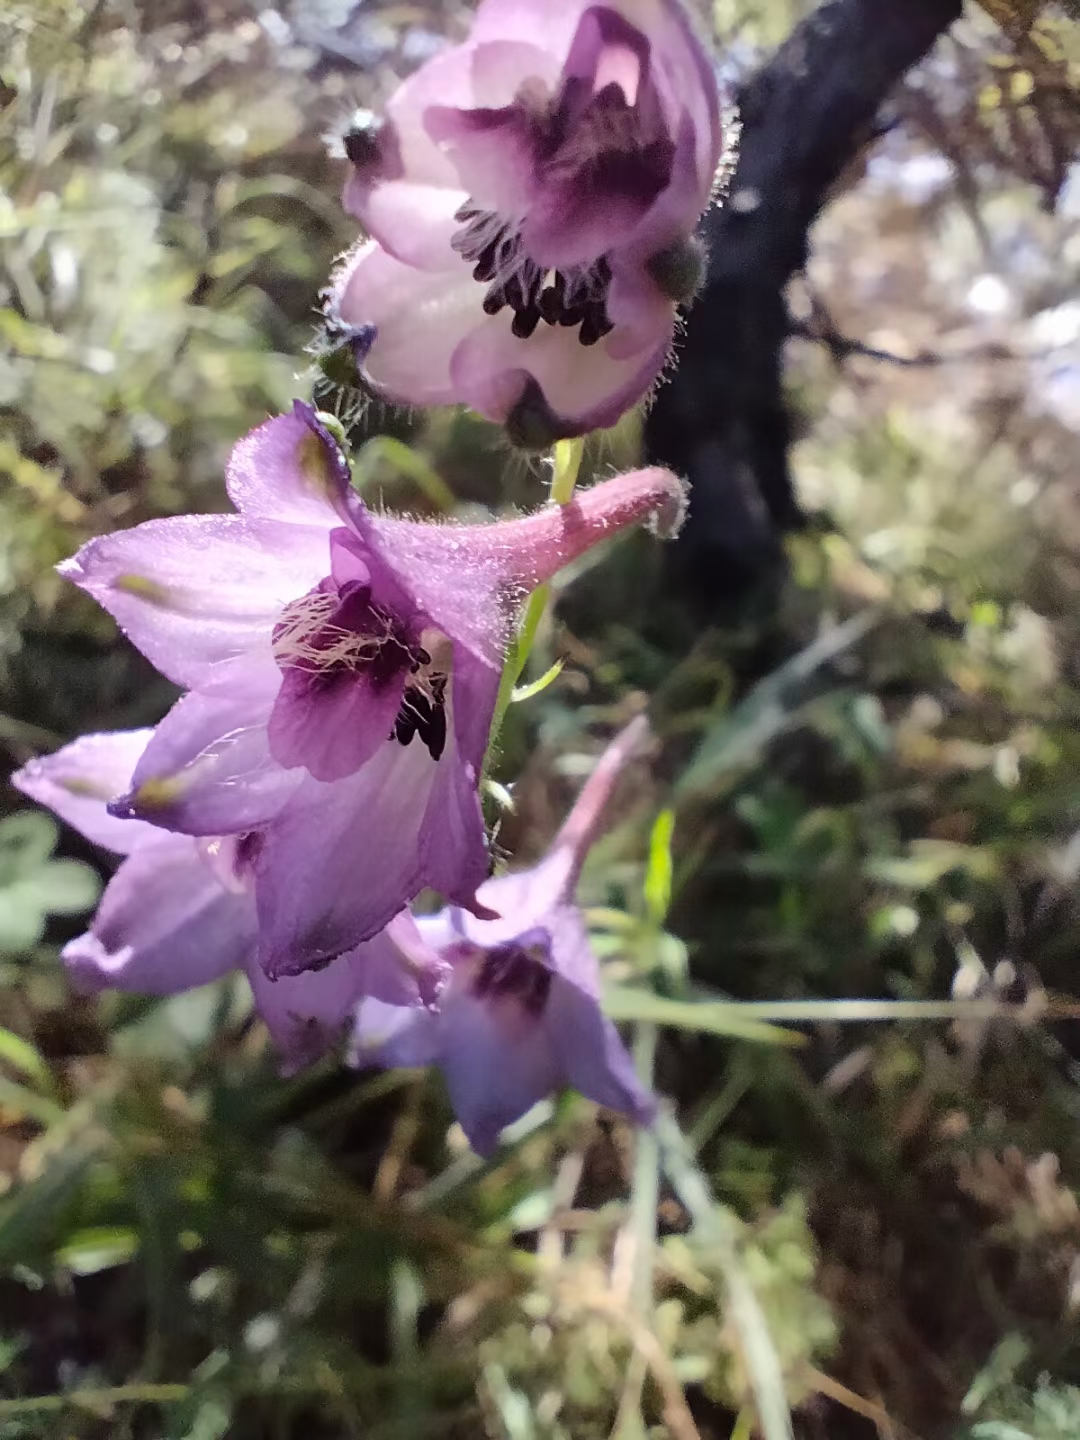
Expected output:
(722, 420)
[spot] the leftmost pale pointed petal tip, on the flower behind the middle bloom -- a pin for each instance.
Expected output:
(80, 781)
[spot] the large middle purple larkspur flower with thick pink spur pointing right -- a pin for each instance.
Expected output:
(342, 672)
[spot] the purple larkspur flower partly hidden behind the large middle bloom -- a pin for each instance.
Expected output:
(181, 912)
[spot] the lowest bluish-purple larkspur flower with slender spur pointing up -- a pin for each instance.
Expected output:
(521, 1014)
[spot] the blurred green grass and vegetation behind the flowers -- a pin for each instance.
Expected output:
(873, 773)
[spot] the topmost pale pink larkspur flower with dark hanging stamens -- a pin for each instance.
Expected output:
(532, 201)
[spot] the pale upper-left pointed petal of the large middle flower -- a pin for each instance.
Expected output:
(197, 591)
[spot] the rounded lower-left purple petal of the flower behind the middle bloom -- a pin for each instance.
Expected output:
(165, 925)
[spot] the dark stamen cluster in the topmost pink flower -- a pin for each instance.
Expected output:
(572, 297)
